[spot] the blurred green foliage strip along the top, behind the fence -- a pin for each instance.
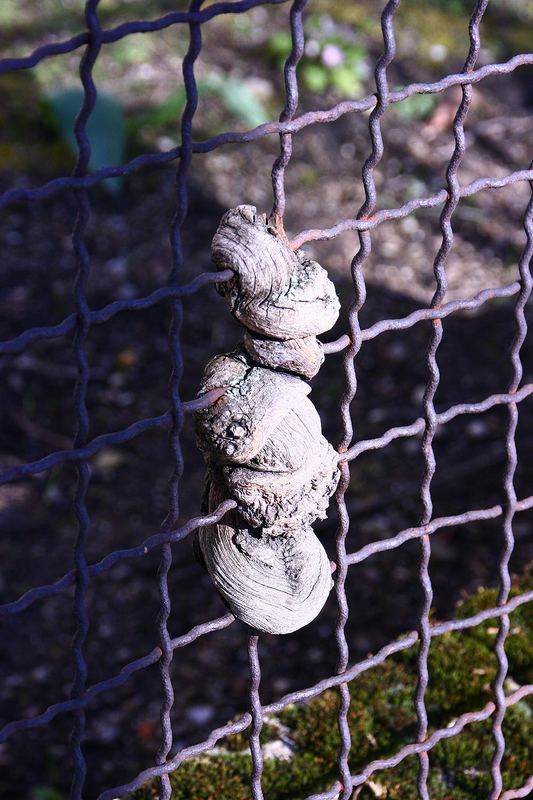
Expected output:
(142, 73)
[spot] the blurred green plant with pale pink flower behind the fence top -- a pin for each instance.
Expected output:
(333, 58)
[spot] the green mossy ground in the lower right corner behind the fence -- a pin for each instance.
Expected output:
(382, 719)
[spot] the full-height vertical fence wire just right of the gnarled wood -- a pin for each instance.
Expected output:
(365, 245)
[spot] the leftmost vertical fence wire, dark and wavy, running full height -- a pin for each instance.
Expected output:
(80, 392)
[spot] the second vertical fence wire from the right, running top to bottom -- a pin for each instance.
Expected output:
(430, 418)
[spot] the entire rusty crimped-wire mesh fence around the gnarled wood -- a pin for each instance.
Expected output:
(79, 324)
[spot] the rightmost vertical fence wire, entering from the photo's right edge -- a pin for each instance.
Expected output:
(524, 267)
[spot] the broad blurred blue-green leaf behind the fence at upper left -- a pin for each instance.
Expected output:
(105, 129)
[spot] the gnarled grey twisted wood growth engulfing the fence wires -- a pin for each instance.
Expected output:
(262, 440)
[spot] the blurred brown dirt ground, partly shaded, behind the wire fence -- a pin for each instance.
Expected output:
(127, 498)
